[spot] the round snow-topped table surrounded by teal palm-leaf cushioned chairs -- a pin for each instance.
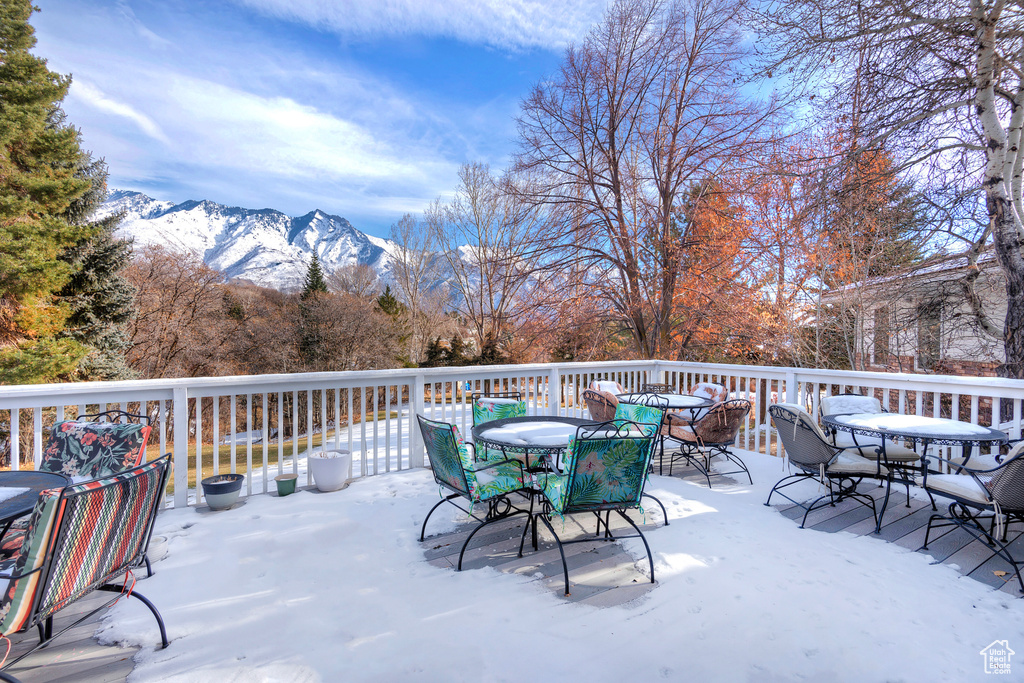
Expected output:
(532, 439)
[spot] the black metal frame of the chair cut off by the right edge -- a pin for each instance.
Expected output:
(962, 515)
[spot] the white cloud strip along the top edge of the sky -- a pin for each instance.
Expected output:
(509, 24)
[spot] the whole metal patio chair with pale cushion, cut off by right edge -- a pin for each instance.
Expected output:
(993, 495)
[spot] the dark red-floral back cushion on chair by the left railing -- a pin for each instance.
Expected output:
(94, 450)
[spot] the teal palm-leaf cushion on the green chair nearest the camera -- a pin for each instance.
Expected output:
(600, 473)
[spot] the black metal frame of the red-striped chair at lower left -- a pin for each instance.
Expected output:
(46, 624)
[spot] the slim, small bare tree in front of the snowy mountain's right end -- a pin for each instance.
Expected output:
(419, 283)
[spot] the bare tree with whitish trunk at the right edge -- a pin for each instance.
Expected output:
(943, 83)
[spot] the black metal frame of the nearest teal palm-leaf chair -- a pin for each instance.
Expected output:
(621, 431)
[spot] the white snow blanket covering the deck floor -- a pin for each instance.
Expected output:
(334, 587)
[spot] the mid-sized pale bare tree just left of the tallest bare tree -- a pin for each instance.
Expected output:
(493, 243)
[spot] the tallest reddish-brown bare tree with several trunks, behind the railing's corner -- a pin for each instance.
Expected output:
(647, 108)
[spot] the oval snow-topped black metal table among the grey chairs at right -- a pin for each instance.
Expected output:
(917, 430)
